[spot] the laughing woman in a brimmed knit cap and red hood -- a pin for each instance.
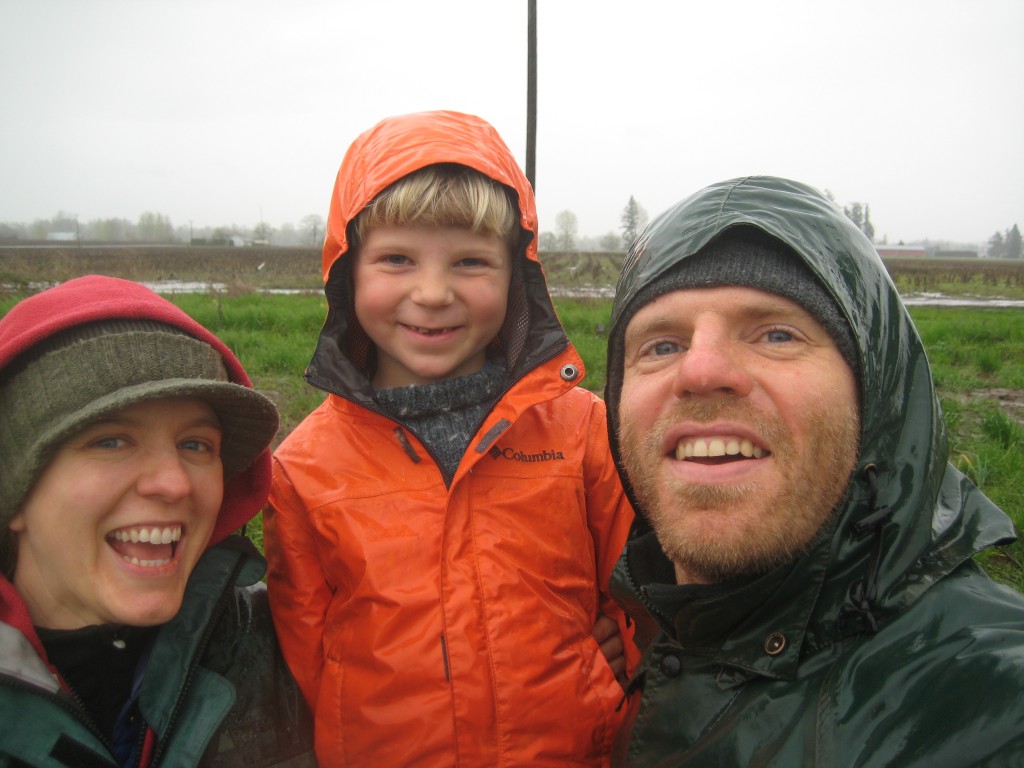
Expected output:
(134, 629)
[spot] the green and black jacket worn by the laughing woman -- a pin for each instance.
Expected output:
(217, 692)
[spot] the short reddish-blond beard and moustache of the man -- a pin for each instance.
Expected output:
(716, 533)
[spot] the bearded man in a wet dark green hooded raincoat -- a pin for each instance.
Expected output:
(801, 567)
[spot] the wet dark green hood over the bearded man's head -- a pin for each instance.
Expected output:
(909, 518)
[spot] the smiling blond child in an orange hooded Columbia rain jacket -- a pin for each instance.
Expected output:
(443, 529)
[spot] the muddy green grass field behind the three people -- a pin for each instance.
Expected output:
(977, 355)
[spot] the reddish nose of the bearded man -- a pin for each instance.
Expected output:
(712, 365)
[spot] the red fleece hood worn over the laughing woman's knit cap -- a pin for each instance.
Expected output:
(99, 298)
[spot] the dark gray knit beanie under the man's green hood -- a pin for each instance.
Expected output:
(747, 258)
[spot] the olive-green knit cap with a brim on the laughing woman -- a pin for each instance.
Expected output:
(71, 379)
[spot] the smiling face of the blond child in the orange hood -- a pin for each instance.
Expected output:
(432, 301)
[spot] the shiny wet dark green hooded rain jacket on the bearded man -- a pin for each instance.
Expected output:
(885, 645)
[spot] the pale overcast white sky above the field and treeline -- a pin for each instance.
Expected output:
(229, 112)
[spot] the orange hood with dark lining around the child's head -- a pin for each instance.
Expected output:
(381, 156)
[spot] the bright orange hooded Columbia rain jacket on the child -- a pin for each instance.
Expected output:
(434, 625)
